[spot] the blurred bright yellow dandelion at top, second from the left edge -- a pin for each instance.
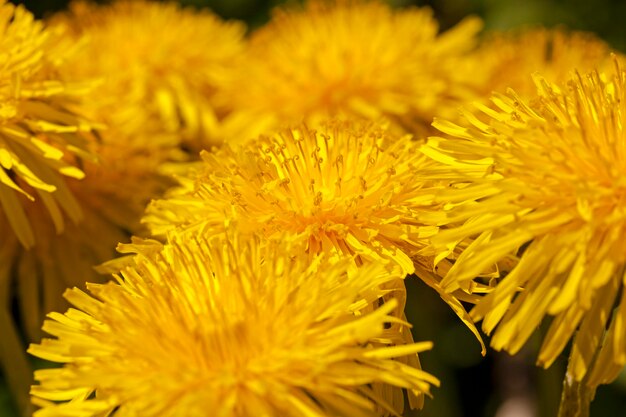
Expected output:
(165, 88)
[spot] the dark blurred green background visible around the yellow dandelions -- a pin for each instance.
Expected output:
(472, 386)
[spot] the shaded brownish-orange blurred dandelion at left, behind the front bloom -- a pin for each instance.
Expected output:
(112, 198)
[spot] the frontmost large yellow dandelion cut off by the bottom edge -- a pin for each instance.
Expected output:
(238, 328)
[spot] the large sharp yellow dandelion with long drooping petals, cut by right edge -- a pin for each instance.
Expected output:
(552, 196)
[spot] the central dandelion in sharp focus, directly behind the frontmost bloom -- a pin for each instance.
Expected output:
(347, 188)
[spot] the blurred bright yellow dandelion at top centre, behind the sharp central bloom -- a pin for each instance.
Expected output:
(351, 58)
